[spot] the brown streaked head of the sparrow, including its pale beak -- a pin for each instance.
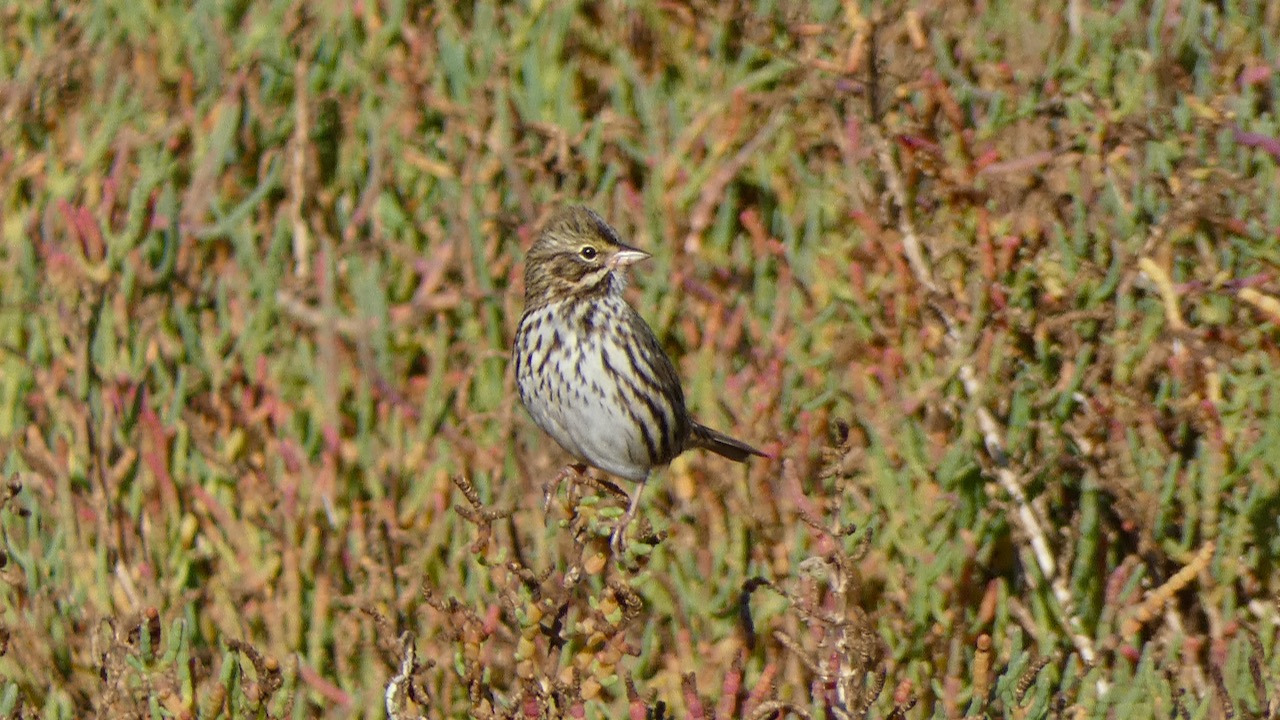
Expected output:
(577, 256)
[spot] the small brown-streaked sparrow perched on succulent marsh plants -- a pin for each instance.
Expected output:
(591, 371)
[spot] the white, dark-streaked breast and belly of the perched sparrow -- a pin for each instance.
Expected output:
(574, 400)
